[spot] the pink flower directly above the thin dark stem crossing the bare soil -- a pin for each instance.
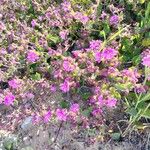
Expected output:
(61, 114)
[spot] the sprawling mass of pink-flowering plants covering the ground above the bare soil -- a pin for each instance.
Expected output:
(86, 49)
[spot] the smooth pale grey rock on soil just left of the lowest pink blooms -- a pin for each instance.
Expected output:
(27, 124)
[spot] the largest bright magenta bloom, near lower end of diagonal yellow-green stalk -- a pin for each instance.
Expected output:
(108, 53)
